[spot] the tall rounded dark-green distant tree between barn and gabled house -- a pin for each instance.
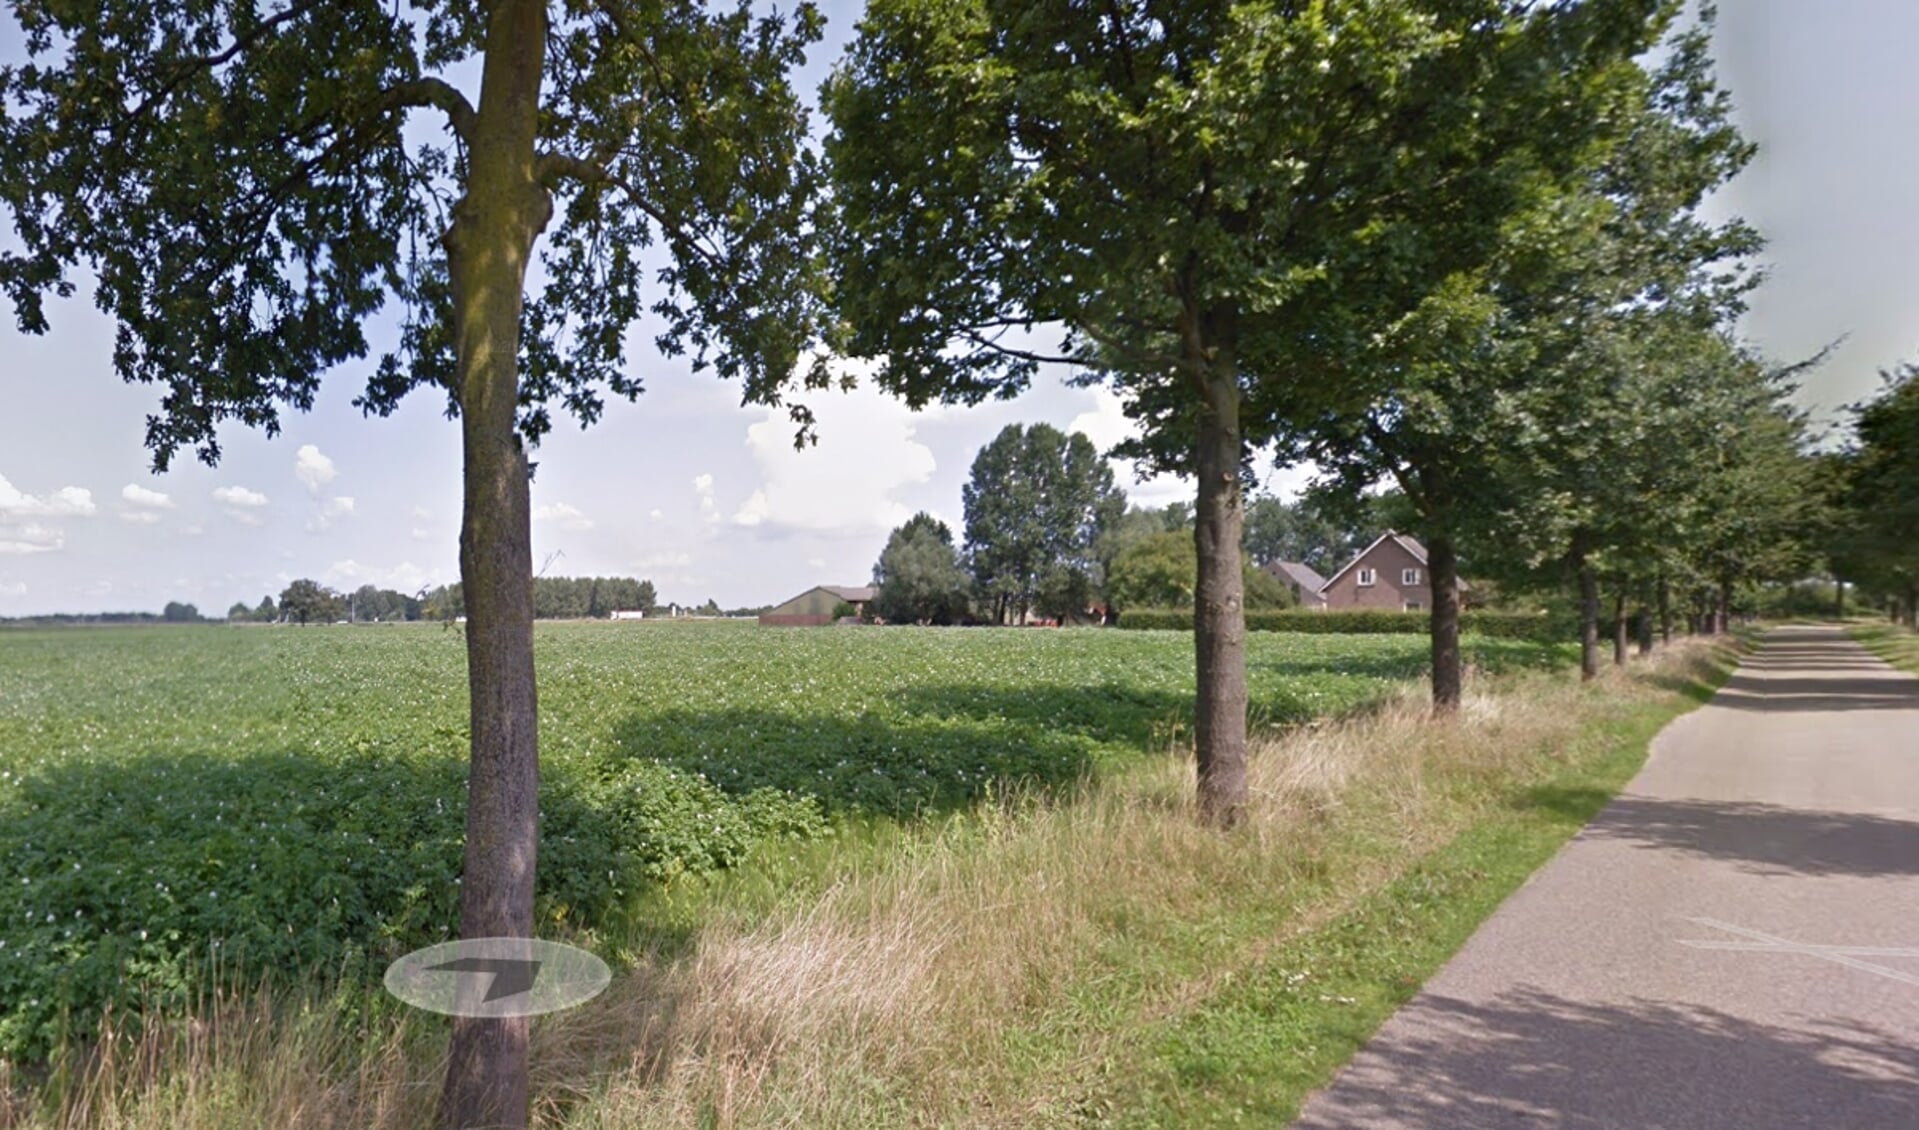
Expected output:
(1035, 507)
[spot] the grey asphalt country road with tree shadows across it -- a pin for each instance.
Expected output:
(1734, 945)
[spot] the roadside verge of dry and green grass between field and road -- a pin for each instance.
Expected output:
(1045, 962)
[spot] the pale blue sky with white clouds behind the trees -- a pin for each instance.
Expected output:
(709, 500)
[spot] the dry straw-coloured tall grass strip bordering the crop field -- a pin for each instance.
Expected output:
(972, 979)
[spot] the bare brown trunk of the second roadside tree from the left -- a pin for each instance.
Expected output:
(1220, 605)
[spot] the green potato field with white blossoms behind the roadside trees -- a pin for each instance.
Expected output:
(283, 801)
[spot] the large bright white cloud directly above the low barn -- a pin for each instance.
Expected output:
(845, 484)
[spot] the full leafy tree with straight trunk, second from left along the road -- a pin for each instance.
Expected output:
(1216, 208)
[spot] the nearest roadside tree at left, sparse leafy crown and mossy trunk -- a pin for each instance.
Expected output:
(243, 185)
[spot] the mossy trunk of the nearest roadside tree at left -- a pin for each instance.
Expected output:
(488, 250)
